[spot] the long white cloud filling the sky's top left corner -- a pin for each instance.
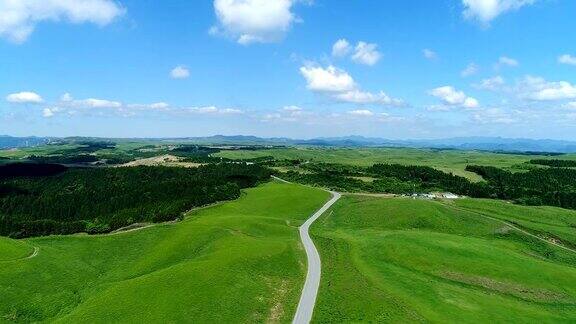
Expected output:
(18, 18)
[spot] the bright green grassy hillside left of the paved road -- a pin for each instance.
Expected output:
(235, 262)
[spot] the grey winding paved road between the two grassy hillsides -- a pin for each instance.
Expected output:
(310, 290)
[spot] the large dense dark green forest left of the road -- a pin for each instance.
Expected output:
(99, 200)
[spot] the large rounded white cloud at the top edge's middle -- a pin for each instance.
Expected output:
(254, 21)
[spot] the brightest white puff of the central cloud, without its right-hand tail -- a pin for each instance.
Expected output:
(330, 79)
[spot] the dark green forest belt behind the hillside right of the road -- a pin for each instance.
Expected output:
(540, 186)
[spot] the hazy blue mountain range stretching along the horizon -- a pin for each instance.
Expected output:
(460, 143)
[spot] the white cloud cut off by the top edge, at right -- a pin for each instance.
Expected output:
(485, 11)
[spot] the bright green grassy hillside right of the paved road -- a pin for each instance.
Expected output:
(410, 260)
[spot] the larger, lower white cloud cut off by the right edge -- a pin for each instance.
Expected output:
(538, 89)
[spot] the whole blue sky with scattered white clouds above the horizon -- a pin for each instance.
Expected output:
(293, 68)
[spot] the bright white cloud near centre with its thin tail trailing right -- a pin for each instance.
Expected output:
(341, 87)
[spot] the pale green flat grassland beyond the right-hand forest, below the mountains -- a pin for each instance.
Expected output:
(453, 161)
